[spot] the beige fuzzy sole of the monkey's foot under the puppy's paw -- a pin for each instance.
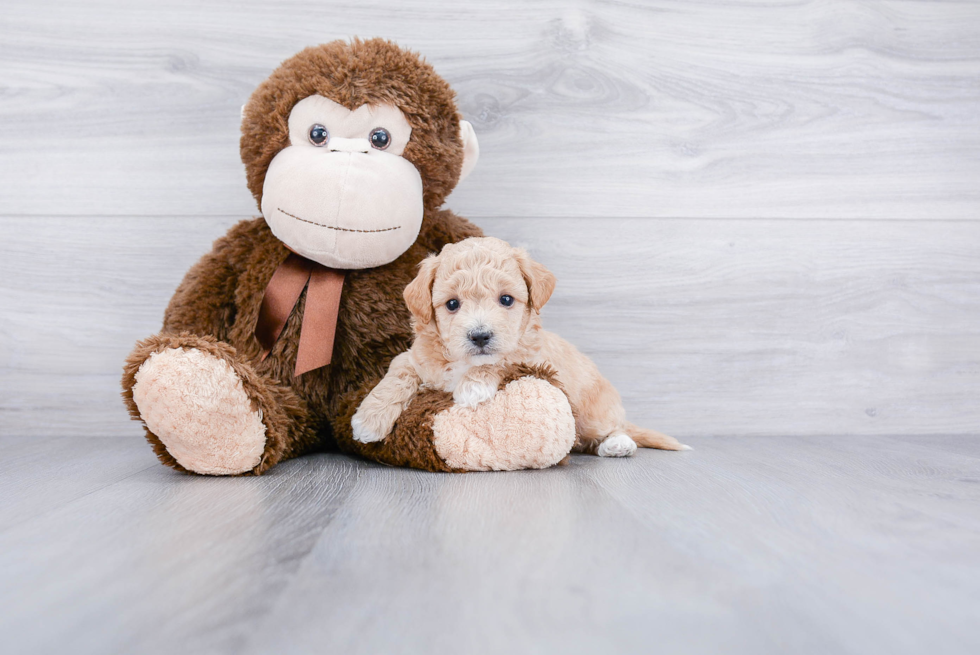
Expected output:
(527, 425)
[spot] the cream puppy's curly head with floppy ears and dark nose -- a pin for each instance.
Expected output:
(477, 297)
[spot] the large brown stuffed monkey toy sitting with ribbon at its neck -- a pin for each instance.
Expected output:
(275, 336)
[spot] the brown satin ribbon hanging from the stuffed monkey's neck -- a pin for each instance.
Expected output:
(319, 315)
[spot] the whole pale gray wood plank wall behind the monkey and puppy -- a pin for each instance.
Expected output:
(765, 217)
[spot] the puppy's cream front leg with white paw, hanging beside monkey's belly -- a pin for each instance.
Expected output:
(376, 415)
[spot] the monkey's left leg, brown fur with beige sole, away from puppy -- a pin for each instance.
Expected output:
(207, 411)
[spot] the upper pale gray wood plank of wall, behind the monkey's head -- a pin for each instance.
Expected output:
(744, 109)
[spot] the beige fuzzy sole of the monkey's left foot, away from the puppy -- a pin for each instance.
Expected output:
(196, 405)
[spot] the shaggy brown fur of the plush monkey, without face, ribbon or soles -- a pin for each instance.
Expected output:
(216, 306)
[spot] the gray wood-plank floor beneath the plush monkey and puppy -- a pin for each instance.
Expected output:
(753, 545)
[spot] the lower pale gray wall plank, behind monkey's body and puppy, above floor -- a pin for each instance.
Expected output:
(706, 327)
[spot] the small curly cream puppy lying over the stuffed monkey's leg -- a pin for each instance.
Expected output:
(475, 308)
